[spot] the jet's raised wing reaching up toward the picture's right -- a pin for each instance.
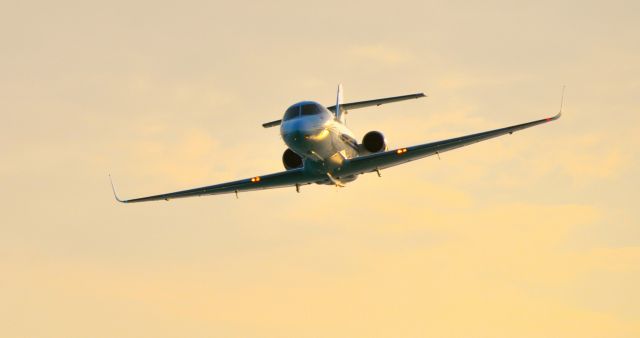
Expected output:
(368, 163)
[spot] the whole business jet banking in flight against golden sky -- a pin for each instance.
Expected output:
(322, 150)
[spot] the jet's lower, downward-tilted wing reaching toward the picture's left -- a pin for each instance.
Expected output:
(289, 178)
